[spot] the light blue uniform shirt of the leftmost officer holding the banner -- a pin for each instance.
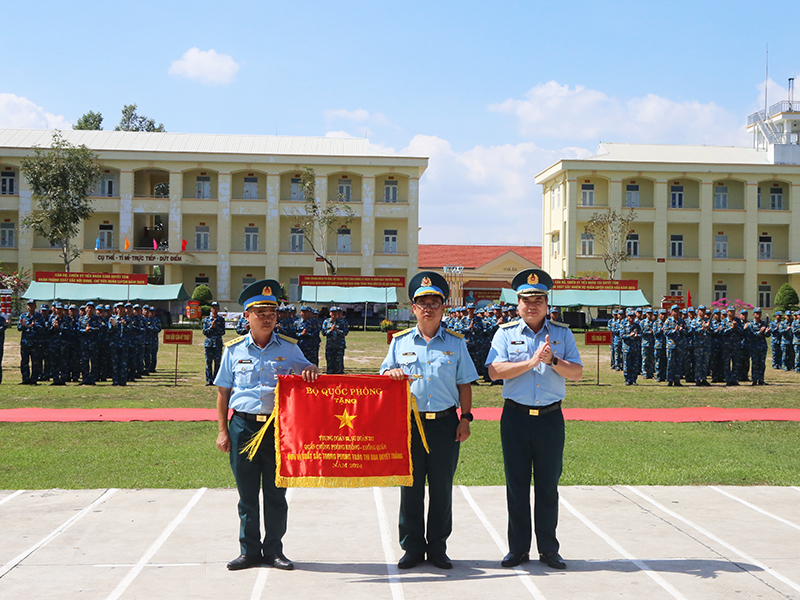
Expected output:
(252, 373)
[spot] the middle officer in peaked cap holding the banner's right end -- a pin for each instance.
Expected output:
(441, 372)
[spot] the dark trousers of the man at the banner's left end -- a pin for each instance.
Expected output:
(251, 478)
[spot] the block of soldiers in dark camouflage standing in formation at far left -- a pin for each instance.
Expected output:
(88, 344)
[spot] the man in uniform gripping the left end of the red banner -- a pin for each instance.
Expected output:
(246, 383)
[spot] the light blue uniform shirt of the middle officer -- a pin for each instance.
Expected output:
(435, 368)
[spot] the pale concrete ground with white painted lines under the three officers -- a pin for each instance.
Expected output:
(618, 542)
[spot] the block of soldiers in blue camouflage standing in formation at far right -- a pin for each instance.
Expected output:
(693, 344)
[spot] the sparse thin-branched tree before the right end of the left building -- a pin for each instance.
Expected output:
(317, 220)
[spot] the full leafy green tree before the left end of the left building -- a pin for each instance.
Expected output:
(60, 179)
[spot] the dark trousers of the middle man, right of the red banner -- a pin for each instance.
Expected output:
(439, 467)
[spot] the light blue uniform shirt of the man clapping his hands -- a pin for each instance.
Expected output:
(517, 343)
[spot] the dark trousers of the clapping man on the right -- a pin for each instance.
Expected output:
(532, 445)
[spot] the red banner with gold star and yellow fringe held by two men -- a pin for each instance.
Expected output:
(343, 431)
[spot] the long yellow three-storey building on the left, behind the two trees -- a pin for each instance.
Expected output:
(230, 198)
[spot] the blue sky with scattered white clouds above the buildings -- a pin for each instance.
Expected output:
(491, 92)
